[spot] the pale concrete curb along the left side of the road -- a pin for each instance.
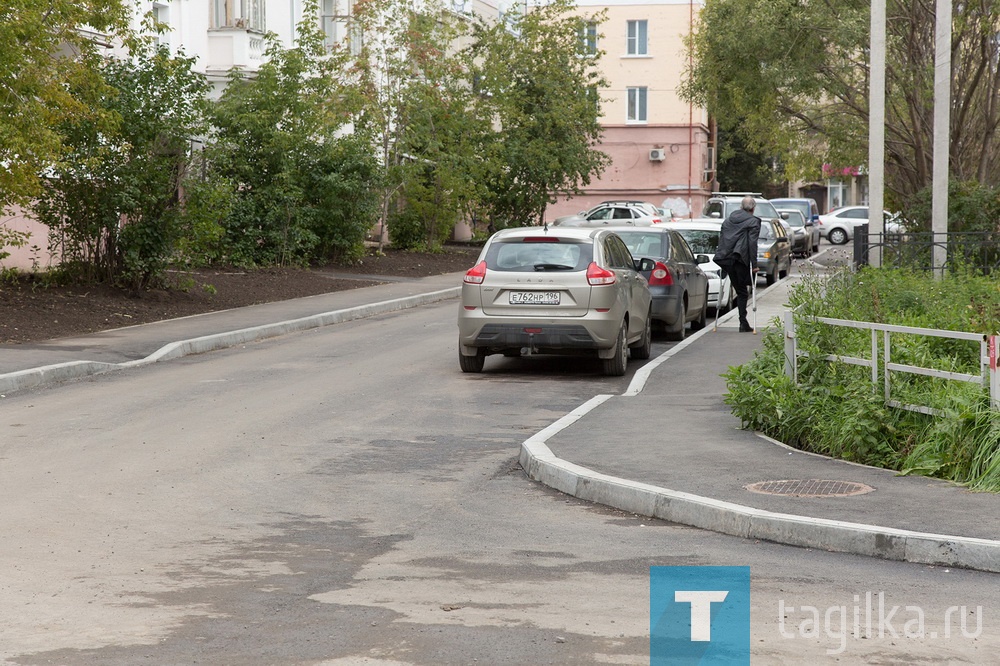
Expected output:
(35, 377)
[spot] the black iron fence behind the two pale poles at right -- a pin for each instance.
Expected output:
(915, 250)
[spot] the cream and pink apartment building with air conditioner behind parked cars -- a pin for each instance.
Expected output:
(660, 145)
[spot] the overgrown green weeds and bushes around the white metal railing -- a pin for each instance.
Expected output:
(836, 410)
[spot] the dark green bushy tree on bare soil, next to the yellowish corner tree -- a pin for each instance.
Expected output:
(112, 200)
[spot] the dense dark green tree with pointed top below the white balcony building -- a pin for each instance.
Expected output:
(302, 188)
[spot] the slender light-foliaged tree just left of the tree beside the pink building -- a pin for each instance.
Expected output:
(414, 104)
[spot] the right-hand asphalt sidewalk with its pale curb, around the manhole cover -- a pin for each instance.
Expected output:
(670, 447)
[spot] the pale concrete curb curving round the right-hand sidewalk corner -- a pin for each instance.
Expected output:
(888, 543)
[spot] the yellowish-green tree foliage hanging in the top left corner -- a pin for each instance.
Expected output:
(45, 52)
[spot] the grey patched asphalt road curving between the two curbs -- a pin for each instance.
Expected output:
(348, 496)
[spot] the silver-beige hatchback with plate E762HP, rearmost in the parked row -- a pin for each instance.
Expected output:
(555, 290)
